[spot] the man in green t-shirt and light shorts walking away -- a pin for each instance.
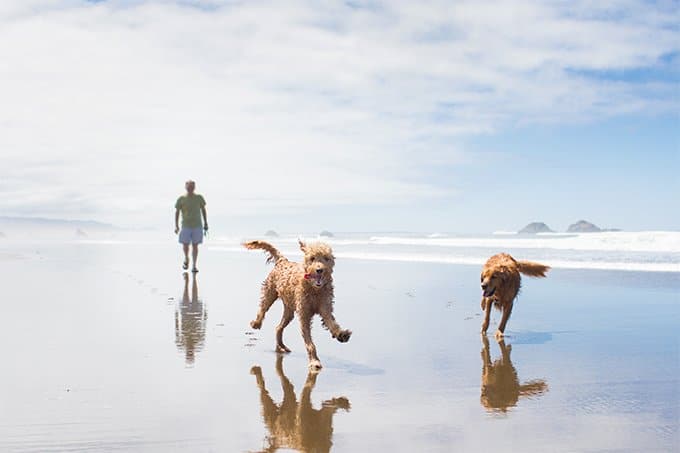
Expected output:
(192, 206)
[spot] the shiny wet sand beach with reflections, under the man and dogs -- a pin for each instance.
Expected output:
(109, 347)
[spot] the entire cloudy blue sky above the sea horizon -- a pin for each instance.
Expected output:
(422, 116)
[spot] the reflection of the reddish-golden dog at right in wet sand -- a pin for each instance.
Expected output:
(500, 385)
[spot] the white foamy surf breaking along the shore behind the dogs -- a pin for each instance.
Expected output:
(650, 251)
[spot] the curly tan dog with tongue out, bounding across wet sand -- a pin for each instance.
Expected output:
(305, 289)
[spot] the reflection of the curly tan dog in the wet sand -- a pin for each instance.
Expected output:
(297, 425)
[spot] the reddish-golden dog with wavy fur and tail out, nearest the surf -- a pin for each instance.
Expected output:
(501, 282)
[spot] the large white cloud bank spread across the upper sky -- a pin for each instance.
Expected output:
(107, 107)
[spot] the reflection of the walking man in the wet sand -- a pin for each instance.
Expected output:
(190, 320)
